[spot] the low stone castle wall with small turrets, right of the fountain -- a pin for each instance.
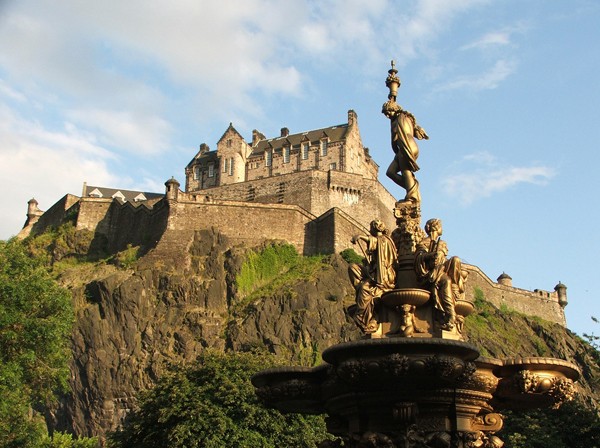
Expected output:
(541, 303)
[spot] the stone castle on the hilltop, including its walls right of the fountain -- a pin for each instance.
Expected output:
(313, 189)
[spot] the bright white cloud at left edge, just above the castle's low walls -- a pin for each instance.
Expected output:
(46, 164)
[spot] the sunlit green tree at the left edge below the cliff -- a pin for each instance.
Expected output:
(36, 318)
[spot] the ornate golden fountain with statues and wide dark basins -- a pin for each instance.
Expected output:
(412, 381)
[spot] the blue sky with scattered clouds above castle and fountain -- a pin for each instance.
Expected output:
(121, 94)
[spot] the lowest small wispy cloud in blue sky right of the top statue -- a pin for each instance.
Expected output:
(481, 175)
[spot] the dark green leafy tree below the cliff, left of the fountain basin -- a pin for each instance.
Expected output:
(213, 405)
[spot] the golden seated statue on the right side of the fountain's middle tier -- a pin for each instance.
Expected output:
(445, 278)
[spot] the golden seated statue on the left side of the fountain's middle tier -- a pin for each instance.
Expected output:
(375, 276)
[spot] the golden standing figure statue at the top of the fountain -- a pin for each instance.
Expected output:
(404, 130)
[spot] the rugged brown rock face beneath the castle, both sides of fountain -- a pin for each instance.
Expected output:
(181, 297)
